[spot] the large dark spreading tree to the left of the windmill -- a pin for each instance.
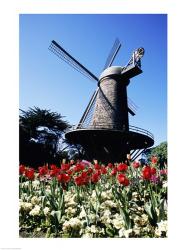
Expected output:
(40, 132)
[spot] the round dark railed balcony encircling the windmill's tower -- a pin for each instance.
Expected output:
(103, 134)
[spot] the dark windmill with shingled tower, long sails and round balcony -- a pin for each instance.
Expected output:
(103, 130)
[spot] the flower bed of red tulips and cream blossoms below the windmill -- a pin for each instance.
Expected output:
(83, 199)
